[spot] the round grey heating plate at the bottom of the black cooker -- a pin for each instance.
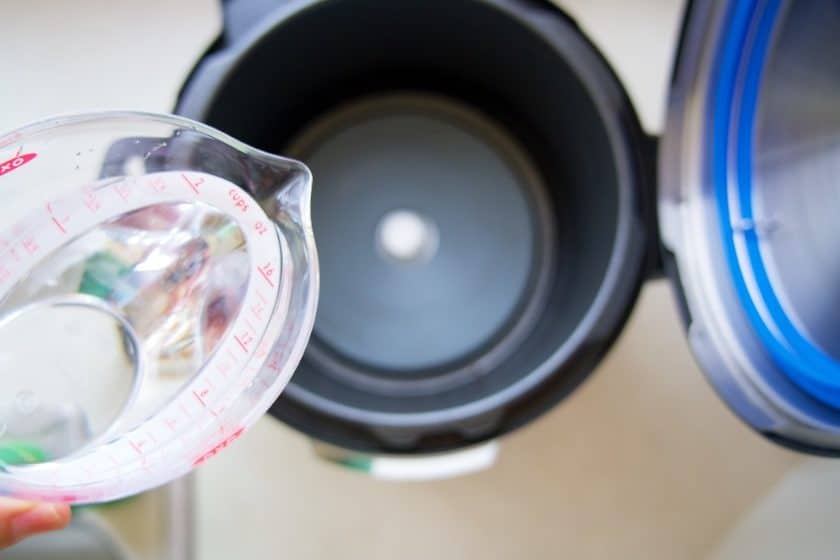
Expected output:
(476, 242)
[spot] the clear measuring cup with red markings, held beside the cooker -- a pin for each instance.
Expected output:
(158, 285)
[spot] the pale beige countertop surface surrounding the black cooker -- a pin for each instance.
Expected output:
(642, 462)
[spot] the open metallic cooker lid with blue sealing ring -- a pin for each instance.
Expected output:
(748, 208)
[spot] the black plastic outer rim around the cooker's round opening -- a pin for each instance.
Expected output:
(246, 22)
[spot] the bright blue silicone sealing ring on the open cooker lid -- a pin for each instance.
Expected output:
(806, 364)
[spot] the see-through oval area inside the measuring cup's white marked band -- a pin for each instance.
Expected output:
(107, 328)
